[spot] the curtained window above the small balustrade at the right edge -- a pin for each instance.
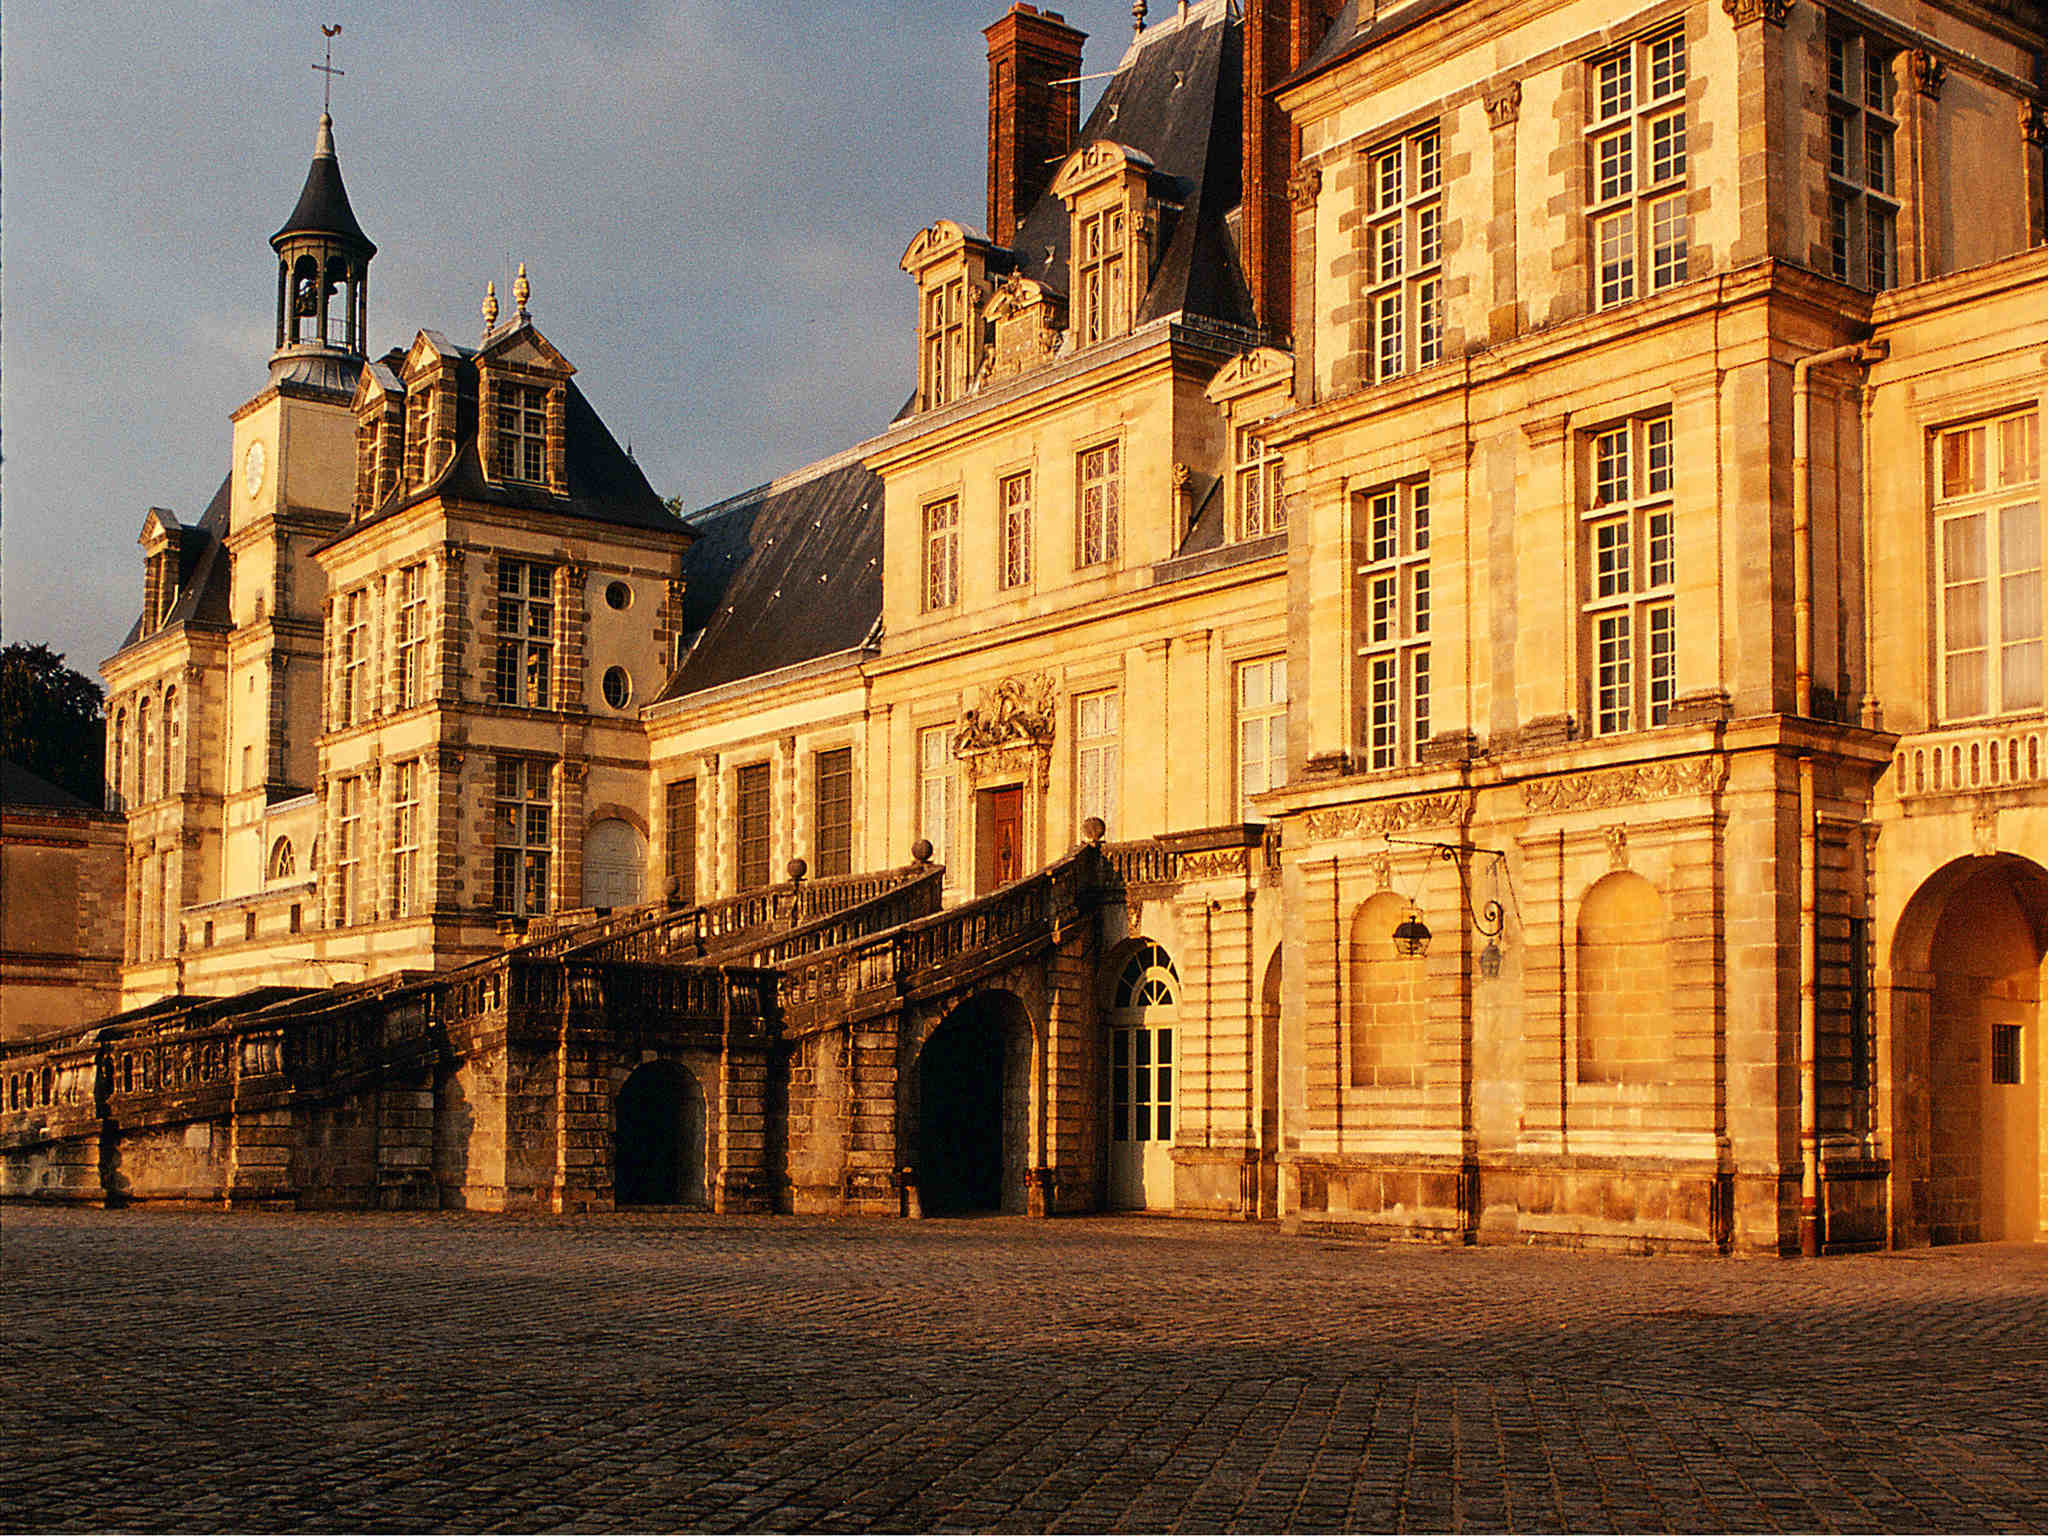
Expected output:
(1998, 484)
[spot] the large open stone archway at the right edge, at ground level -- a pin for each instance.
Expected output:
(1973, 1111)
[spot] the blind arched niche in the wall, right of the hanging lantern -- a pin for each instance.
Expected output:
(1625, 984)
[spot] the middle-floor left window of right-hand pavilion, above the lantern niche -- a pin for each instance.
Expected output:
(1394, 591)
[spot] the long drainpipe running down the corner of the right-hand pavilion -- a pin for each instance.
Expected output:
(1809, 888)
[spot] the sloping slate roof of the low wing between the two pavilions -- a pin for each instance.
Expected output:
(781, 574)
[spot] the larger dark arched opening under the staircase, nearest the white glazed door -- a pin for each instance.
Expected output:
(974, 1109)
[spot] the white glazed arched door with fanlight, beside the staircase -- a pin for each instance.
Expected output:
(1144, 1013)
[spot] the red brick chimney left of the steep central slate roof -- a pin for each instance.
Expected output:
(1033, 122)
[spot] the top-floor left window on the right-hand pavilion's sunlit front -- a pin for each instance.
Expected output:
(1406, 255)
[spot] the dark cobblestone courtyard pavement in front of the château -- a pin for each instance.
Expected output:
(196, 1371)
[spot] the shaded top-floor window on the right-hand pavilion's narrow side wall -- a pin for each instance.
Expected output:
(1863, 196)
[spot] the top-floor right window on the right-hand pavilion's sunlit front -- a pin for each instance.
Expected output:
(1637, 169)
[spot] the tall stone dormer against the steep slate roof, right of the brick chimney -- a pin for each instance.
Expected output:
(1117, 210)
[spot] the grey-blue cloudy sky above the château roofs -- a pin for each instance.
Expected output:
(710, 198)
